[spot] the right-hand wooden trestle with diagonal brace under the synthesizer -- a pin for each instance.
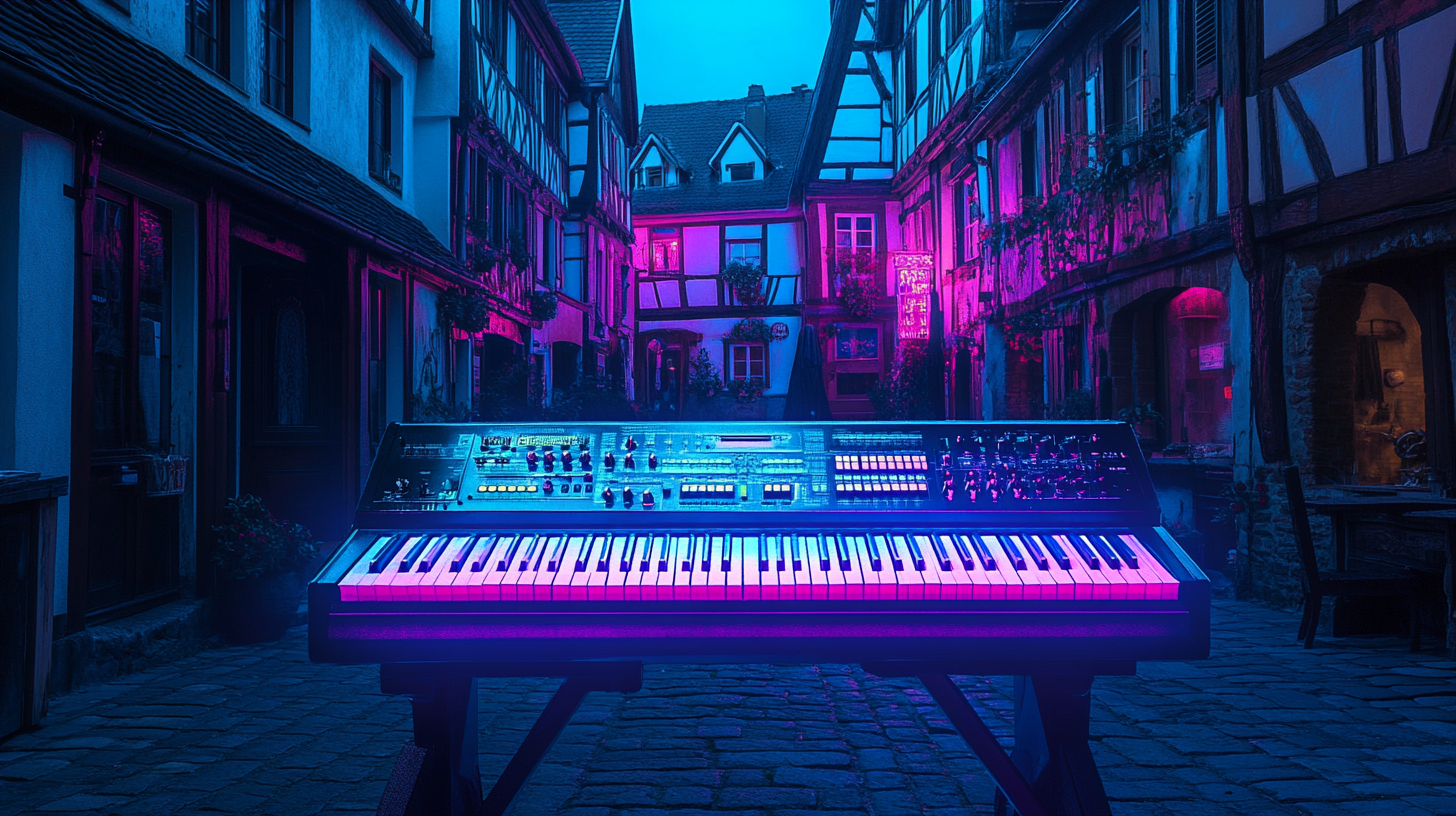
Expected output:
(1051, 769)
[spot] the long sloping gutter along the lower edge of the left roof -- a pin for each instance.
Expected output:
(168, 146)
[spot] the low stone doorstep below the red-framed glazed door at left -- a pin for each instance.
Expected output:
(139, 642)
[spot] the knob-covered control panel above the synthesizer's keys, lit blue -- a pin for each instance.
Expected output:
(758, 467)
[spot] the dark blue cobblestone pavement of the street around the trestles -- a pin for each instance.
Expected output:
(1358, 726)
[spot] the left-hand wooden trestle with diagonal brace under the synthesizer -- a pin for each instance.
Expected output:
(440, 773)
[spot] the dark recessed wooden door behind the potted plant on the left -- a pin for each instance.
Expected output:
(292, 401)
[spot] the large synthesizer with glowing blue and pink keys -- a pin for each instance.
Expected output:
(1029, 549)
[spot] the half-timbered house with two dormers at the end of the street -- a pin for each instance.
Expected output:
(720, 251)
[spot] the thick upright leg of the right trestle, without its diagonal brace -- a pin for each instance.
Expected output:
(1053, 725)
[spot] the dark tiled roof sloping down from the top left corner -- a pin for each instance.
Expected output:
(71, 49)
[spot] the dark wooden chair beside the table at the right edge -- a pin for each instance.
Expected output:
(1320, 585)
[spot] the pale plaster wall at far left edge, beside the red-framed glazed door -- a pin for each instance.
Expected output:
(37, 302)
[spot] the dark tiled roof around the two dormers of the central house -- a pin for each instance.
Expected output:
(695, 130)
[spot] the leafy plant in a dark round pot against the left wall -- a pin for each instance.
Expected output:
(258, 563)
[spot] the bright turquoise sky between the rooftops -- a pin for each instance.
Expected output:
(694, 50)
